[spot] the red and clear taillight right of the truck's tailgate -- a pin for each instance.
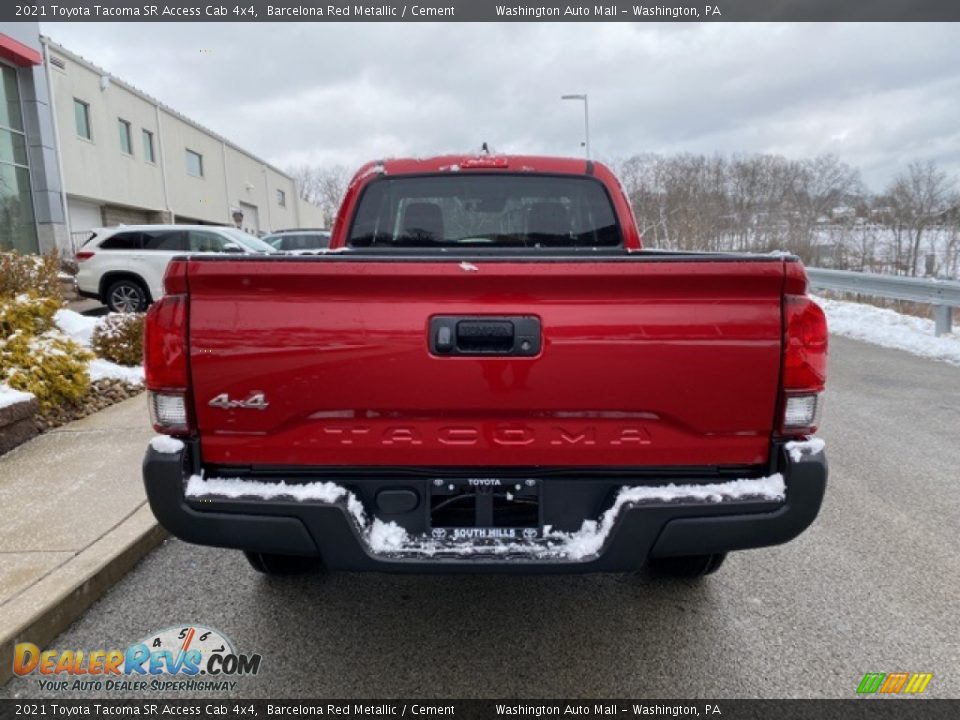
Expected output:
(804, 364)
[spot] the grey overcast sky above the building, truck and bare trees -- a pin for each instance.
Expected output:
(877, 95)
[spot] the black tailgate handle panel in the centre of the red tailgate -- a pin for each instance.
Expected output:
(511, 336)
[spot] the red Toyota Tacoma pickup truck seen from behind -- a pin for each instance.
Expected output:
(486, 372)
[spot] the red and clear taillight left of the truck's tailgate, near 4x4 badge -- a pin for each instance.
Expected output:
(165, 363)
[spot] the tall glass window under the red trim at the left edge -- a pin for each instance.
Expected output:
(18, 229)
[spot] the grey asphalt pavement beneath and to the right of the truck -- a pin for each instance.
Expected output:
(873, 586)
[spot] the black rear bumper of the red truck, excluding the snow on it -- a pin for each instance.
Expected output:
(639, 531)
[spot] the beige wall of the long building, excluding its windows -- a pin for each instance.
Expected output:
(97, 170)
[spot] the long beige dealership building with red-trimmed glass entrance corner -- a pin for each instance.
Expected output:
(80, 148)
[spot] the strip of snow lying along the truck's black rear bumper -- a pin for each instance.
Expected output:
(390, 538)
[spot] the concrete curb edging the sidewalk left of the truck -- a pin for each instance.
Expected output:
(47, 608)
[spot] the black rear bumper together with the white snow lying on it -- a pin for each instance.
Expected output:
(695, 515)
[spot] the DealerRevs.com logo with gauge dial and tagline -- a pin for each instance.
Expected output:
(182, 658)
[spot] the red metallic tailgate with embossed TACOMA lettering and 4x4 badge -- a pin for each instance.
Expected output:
(643, 362)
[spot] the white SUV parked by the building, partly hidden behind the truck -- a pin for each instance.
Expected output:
(123, 266)
